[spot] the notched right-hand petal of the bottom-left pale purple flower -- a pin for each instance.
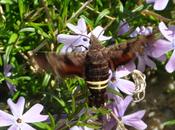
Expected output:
(33, 114)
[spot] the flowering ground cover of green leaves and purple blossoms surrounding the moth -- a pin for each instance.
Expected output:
(28, 27)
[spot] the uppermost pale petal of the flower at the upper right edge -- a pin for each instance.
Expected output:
(167, 33)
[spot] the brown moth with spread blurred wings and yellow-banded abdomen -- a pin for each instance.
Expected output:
(94, 64)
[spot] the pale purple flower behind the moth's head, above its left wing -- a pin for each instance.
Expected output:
(81, 38)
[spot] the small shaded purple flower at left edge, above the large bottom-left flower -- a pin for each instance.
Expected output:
(8, 73)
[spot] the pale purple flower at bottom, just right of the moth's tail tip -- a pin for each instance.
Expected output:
(119, 107)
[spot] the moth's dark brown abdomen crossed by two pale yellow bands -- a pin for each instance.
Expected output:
(96, 74)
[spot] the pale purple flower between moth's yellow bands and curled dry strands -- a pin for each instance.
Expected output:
(118, 83)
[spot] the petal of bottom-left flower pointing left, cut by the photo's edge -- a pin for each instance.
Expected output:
(6, 119)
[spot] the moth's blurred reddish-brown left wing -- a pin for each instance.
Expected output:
(63, 65)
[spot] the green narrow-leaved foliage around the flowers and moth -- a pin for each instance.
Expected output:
(32, 25)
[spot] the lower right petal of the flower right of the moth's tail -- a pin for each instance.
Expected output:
(134, 120)
